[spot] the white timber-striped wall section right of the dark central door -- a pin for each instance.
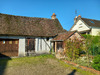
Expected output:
(45, 44)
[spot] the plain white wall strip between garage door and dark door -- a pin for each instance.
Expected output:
(21, 50)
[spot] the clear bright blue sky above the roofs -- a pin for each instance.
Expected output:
(64, 9)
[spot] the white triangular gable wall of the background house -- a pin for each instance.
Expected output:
(80, 26)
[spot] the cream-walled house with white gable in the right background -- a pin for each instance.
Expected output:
(86, 26)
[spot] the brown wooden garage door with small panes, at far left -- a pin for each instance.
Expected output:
(8, 47)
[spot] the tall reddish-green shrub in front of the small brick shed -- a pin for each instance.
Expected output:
(73, 48)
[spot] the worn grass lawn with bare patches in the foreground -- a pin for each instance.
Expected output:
(38, 65)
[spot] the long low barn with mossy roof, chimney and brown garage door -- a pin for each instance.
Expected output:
(20, 36)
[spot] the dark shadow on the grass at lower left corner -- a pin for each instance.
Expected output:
(3, 63)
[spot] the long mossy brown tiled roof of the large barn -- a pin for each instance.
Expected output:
(29, 26)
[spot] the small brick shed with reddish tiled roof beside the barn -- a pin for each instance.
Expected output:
(59, 41)
